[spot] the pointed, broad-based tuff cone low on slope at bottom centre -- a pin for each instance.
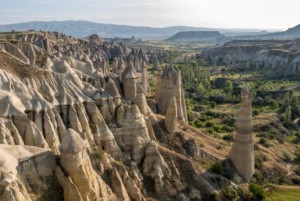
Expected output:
(155, 166)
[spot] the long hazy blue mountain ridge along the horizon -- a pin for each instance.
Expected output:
(85, 28)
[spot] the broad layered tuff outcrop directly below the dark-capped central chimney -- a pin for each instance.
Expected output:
(131, 131)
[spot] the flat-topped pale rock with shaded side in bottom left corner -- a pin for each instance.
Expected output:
(12, 187)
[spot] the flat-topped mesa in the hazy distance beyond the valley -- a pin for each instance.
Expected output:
(197, 36)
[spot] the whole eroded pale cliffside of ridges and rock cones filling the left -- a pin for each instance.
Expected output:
(72, 128)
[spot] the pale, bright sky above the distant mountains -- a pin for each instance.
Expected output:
(261, 14)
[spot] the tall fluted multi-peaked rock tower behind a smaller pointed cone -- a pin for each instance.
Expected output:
(170, 85)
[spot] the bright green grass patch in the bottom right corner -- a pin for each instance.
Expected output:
(283, 193)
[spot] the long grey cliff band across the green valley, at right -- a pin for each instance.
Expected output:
(282, 56)
